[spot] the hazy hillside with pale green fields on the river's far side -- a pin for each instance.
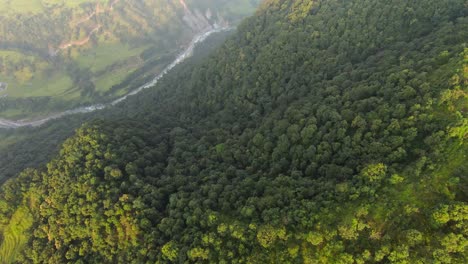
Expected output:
(59, 54)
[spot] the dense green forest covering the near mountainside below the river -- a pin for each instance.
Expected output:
(326, 131)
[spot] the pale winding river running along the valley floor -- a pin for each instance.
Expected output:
(5, 123)
